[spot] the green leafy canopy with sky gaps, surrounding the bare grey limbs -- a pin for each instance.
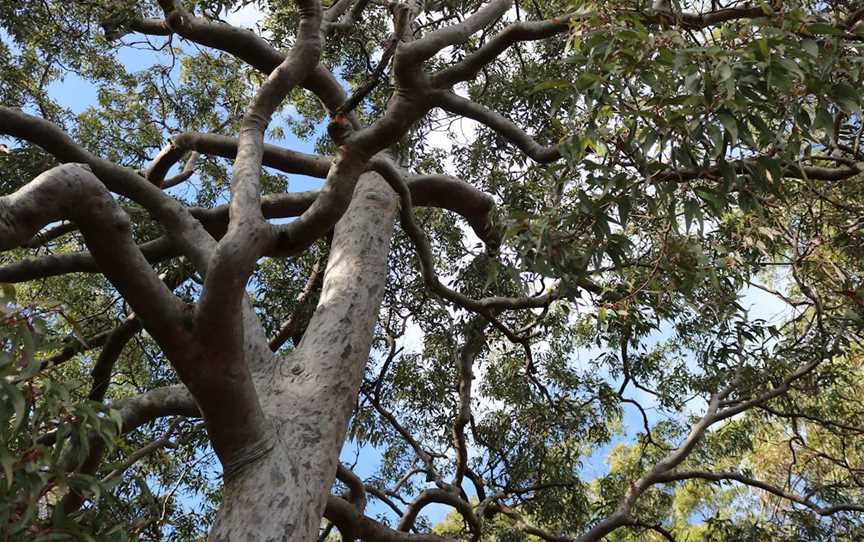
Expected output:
(702, 231)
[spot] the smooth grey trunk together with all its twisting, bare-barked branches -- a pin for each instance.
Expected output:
(280, 433)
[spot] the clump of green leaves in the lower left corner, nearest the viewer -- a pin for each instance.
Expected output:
(36, 473)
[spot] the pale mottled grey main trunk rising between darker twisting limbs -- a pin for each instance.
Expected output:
(308, 396)
